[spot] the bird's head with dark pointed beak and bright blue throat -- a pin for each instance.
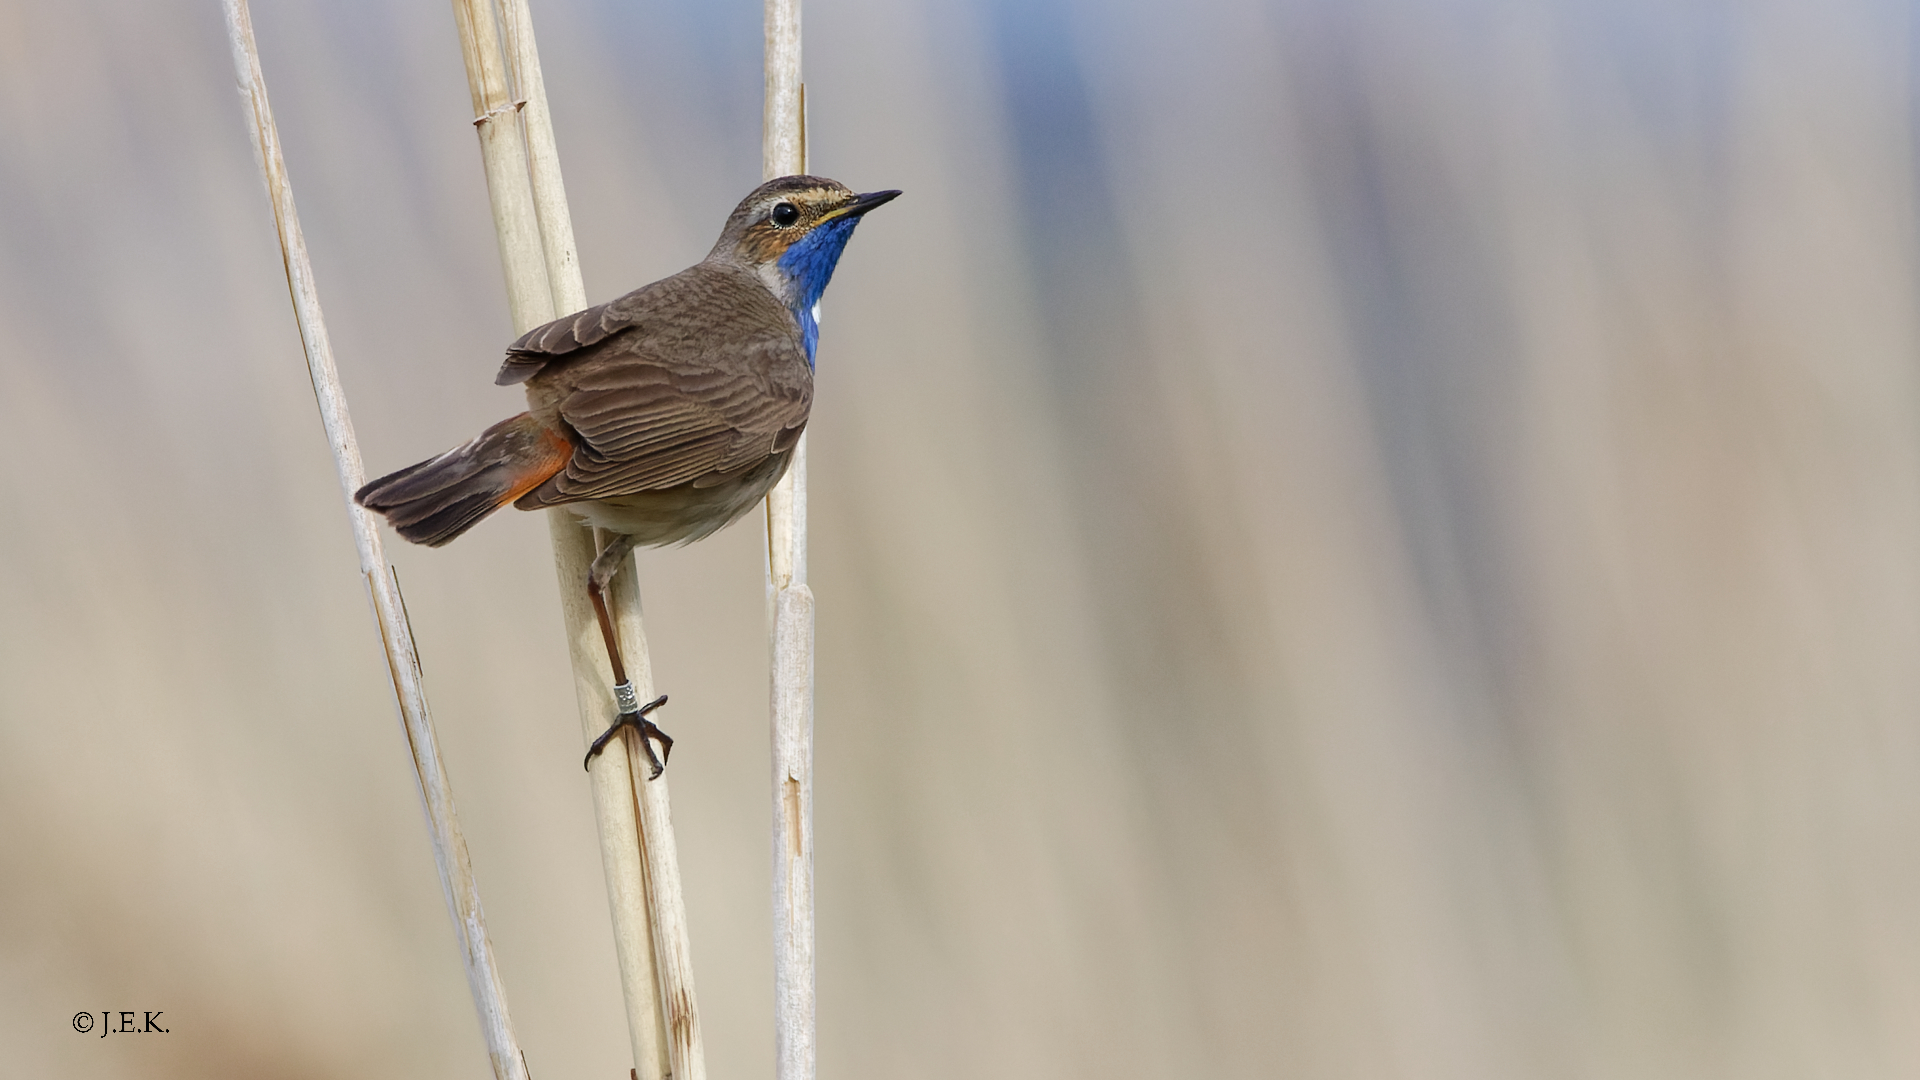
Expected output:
(792, 232)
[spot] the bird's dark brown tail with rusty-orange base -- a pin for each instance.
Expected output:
(441, 499)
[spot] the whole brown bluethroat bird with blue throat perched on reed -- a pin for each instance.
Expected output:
(661, 416)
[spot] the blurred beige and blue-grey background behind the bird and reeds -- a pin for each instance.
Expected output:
(1355, 539)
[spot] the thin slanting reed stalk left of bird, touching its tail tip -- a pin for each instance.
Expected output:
(383, 589)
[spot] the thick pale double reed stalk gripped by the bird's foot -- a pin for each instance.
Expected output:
(635, 816)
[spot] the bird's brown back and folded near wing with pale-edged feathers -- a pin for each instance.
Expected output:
(713, 383)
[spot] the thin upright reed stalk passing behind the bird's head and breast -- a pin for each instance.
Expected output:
(790, 606)
